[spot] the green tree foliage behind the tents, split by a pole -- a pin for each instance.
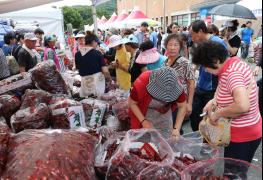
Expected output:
(79, 16)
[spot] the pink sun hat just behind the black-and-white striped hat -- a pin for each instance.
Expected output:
(148, 57)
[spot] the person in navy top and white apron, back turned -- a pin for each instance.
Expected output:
(92, 69)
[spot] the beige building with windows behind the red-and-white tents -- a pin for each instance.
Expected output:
(181, 11)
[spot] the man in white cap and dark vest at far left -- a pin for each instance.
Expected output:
(27, 57)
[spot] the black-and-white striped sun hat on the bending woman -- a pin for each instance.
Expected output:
(164, 85)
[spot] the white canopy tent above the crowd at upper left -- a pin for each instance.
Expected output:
(49, 19)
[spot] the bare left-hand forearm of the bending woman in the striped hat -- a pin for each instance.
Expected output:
(133, 105)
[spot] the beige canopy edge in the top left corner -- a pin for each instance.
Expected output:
(15, 5)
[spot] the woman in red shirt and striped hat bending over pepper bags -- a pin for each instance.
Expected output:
(153, 97)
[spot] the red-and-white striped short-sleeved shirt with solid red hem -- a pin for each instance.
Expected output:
(234, 74)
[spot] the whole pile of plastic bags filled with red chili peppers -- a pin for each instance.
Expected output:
(48, 132)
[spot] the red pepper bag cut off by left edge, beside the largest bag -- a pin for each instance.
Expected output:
(4, 138)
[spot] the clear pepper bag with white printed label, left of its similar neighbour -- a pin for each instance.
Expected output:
(66, 113)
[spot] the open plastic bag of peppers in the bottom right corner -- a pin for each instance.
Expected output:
(222, 169)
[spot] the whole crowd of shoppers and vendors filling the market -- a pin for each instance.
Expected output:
(170, 77)
